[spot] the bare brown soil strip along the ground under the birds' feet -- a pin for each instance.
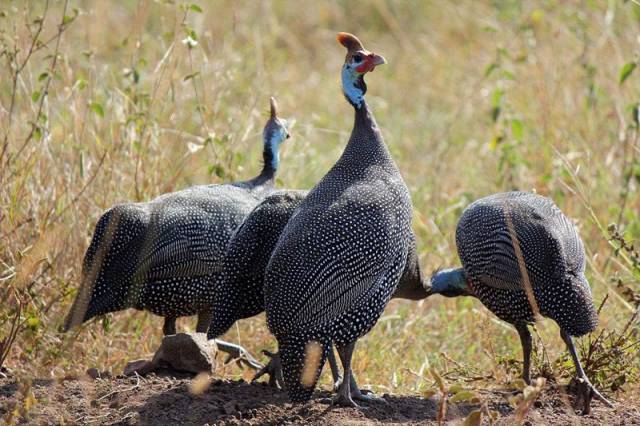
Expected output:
(164, 398)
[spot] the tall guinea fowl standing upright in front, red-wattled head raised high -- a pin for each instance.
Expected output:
(341, 256)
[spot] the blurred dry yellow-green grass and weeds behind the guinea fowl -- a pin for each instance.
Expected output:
(107, 102)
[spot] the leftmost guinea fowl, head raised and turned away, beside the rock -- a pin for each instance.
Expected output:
(160, 255)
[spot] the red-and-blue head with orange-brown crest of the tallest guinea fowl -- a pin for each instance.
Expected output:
(357, 63)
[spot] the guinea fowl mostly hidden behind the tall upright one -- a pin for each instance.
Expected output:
(238, 288)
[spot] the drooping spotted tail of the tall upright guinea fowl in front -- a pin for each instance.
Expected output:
(302, 360)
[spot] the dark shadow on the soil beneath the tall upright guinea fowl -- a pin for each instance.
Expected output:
(230, 402)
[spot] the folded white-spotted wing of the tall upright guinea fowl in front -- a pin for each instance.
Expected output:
(333, 258)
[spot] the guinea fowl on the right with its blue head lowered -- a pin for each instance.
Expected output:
(499, 234)
